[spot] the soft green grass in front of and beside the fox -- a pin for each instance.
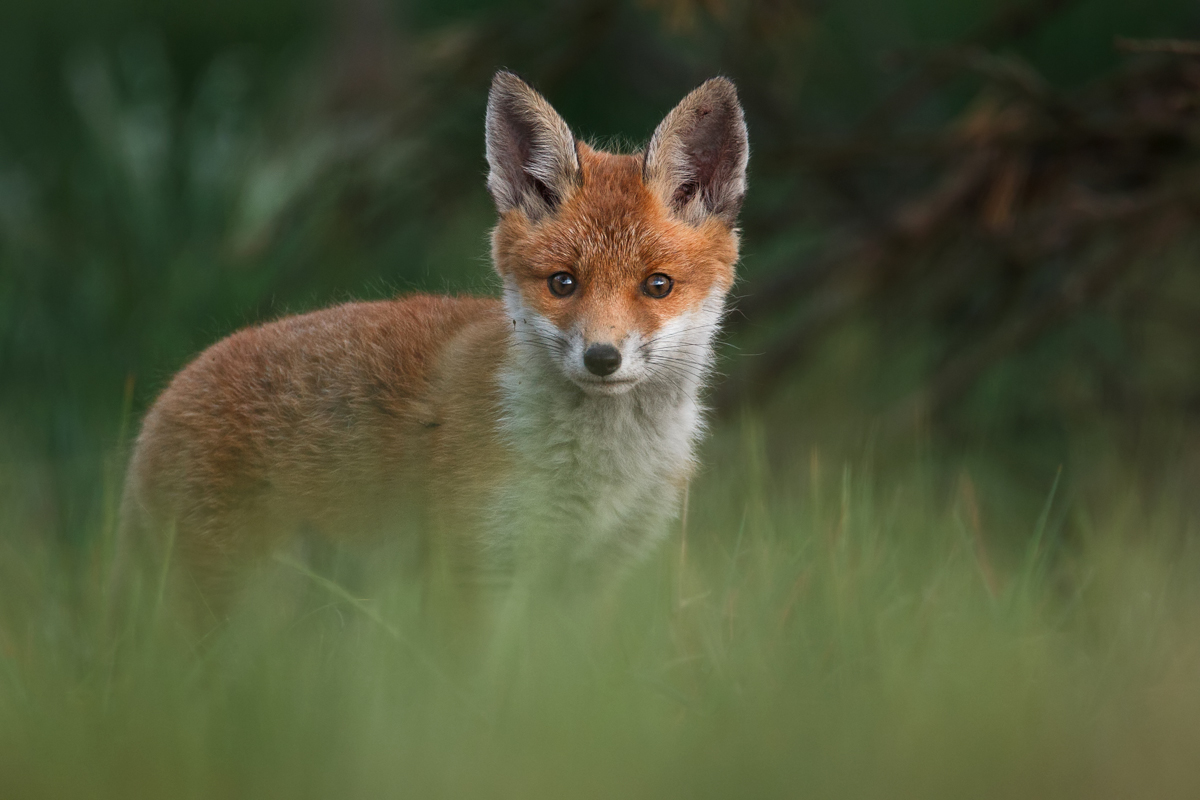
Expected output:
(823, 629)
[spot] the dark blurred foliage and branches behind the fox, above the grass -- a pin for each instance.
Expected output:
(970, 224)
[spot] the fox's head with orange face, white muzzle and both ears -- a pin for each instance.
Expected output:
(616, 267)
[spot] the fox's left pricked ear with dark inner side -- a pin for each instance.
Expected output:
(531, 152)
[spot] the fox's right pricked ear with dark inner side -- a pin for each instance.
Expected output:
(697, 161)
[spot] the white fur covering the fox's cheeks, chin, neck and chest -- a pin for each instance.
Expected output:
(598, 476)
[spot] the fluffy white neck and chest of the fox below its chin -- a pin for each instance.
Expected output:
(608, 470)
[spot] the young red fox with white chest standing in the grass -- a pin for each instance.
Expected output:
(556, 424)
